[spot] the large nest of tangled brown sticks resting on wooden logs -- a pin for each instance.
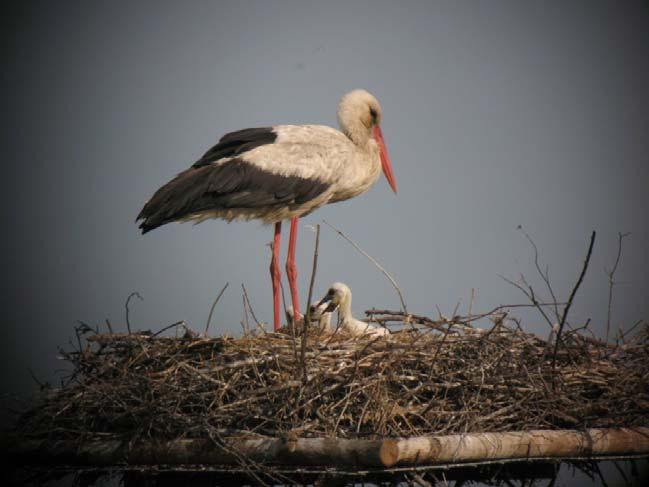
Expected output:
(428, 377)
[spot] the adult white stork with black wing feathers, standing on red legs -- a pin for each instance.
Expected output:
(278, 173)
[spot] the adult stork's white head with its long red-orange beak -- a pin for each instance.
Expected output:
(359, 116)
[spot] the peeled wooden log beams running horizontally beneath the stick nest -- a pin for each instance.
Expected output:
(356, 453)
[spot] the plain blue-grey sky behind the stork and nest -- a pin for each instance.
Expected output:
(496, 114)
